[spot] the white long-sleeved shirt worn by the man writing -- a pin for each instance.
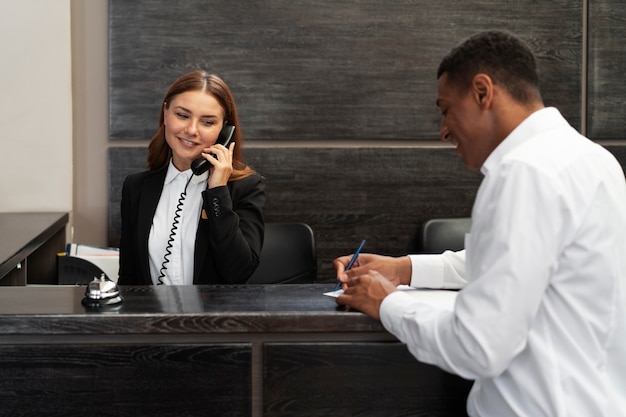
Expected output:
(541, 324)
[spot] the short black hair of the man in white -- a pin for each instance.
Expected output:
(503, 56)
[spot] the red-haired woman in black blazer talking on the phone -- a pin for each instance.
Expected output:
(179, 228)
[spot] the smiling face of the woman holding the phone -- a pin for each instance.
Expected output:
(193, 121)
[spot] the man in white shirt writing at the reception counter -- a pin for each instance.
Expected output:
(540, 323)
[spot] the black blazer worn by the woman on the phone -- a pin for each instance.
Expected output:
(228, 241)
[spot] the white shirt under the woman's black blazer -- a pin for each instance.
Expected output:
(179, 268)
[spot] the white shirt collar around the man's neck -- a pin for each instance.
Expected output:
(531, 126)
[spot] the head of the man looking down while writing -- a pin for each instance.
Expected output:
(487, 86)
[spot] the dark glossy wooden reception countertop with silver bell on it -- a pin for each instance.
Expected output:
(171, 312)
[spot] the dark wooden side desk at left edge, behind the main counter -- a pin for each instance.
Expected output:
(28, 246)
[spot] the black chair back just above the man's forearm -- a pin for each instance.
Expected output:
(438, 235)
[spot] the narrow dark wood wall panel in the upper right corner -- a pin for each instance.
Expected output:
(607, 65)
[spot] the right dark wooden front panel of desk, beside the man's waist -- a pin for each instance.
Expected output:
(357, 380)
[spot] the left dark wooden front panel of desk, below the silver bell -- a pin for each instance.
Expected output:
(125, 380)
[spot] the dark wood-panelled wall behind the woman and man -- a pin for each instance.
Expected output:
(308, 74)
